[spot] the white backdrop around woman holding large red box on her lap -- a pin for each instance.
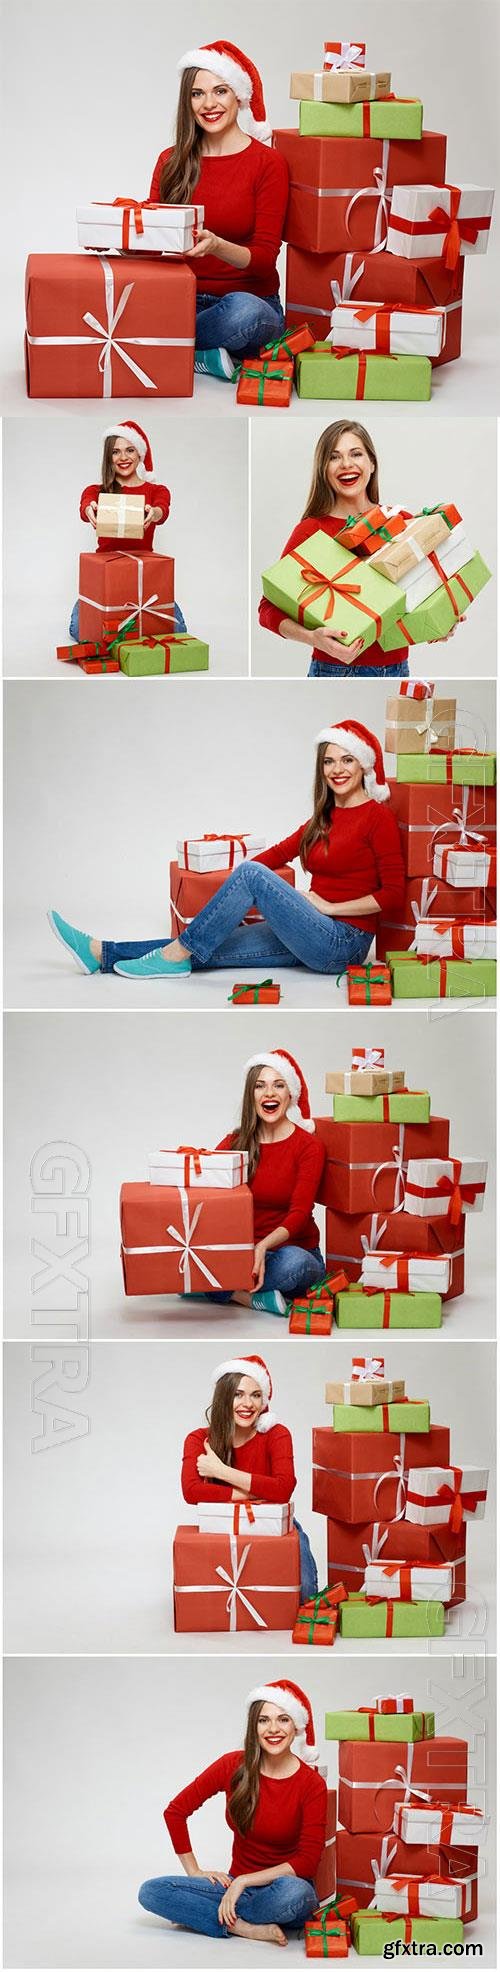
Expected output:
(131, 1086)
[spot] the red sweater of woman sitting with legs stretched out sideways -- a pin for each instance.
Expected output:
(361, 857)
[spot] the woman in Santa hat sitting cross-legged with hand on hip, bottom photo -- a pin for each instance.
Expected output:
(277, 1807)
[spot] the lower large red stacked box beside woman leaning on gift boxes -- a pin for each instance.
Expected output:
(353, 1547)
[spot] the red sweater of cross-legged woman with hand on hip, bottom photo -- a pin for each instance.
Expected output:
(288, 1823)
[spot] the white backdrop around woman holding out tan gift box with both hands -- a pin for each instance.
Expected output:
(208, 533)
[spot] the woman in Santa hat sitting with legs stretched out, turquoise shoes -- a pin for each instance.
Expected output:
(351, 849)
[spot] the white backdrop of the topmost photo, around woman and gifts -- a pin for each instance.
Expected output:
(111, 117)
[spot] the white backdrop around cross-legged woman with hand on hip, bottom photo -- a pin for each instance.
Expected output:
(94, 1754)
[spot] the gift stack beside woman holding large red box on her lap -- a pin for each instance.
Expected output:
(397, 1202)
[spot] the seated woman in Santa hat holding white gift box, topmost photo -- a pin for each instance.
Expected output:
(243, 188)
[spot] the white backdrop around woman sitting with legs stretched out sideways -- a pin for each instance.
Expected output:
(95, 810)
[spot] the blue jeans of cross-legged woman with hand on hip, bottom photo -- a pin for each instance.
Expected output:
(194, 1904)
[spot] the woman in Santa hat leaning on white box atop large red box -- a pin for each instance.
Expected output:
(245, 1454)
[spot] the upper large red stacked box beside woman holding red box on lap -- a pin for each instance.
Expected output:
(355, 1153)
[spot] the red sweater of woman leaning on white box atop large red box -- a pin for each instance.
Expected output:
(269, 1458)
